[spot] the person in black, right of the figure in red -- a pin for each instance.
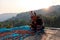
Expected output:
(40, 26)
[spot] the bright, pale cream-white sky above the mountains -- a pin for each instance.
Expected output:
(17, 6)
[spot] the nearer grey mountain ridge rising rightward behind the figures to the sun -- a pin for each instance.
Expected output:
(52, 11)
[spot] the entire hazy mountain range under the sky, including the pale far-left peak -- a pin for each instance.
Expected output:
(52, 11)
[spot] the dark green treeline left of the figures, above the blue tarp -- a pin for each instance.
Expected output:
(13, 23)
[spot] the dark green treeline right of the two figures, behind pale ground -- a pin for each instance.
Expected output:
(52, 21)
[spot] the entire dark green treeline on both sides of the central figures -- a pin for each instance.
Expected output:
(49, 21)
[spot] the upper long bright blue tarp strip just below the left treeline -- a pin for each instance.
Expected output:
(26, 27)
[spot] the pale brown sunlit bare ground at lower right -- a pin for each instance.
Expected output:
(50, 35)
